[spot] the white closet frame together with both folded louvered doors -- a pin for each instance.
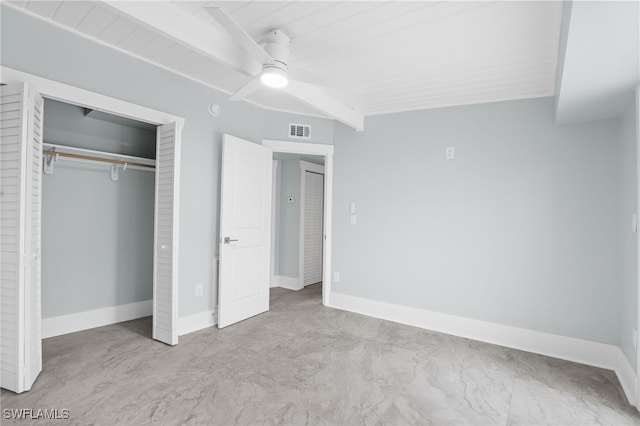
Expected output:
(21, 166)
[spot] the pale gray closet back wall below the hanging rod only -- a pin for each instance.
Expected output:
(97, 238)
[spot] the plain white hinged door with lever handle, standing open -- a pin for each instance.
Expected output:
(245, 230)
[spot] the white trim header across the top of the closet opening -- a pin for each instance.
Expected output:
(51, 89)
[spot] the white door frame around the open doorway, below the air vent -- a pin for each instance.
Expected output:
(306, 148)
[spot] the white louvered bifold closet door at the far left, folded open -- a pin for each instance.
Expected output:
(20, 184)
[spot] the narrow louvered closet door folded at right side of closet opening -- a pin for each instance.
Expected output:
(165, 259)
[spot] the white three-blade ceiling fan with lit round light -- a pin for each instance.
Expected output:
(274, 57)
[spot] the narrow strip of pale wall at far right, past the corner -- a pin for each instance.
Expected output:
(629, 255)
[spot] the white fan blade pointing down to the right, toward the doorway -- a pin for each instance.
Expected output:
(317, 97)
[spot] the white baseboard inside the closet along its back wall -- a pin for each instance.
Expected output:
(71, 323)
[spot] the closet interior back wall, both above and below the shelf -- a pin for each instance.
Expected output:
(97, 234)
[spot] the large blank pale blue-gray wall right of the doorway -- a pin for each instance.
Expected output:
(520, 229)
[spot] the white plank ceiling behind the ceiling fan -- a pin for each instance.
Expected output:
(378, 56)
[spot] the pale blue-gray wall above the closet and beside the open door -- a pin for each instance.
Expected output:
(31, 45)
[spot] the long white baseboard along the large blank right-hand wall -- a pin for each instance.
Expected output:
(568, 348)
